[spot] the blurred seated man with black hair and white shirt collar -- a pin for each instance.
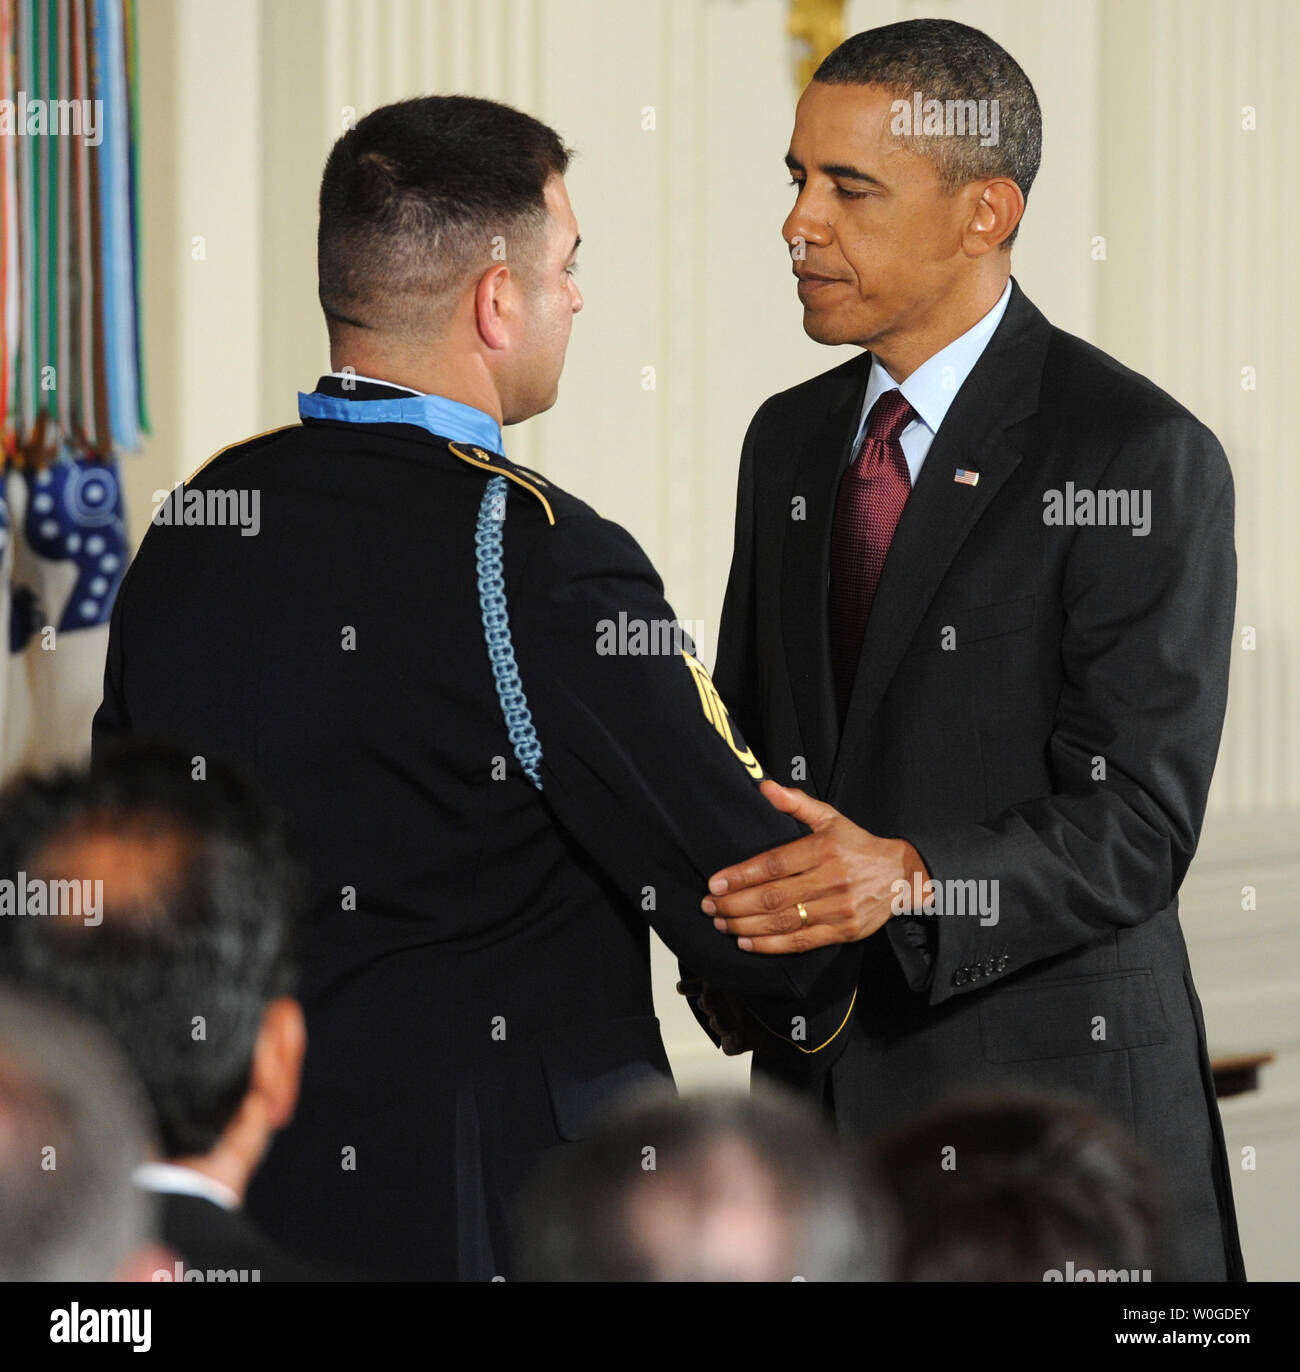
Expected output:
(182, 954)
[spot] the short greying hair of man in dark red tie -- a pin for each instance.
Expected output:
(948, 61)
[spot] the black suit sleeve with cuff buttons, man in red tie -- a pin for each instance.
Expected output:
(1146, 654)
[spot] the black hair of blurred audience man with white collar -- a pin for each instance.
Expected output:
(210, 935)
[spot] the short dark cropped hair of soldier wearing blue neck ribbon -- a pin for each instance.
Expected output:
(412, 200)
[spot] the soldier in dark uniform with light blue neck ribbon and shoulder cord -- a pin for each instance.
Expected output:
(501, 758)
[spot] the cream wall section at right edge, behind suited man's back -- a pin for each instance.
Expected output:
(1201, 283)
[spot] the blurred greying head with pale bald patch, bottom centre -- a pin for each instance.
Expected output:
(708, 1189)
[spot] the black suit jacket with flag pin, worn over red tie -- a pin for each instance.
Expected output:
(1006, 663)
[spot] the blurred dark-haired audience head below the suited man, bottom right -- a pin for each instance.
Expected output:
(1015, 1187)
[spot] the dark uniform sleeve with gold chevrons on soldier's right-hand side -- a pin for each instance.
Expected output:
(644, 766)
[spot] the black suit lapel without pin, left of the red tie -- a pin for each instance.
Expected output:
(806, 563)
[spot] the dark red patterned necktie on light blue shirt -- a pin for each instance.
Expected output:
(871, 497)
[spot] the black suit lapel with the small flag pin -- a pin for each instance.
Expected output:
(1002, 390)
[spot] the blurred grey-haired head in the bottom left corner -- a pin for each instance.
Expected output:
(73, 1128)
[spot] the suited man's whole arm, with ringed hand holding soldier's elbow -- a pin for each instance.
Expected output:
(1144, 651)
